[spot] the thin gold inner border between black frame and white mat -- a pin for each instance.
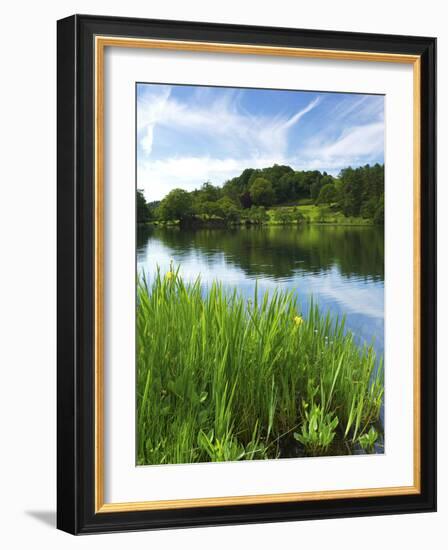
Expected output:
(101, 42)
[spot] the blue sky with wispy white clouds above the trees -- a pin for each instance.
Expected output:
(187, 135)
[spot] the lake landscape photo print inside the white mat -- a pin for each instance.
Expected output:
(260, 274)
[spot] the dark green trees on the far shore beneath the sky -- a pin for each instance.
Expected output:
(354, 192)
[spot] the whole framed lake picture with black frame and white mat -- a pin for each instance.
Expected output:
(246, 274)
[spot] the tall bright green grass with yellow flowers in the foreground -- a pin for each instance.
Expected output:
(219, 378)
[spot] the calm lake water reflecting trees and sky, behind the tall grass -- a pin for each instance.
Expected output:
(341, 267)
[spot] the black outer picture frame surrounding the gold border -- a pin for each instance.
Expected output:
(76, 262)
